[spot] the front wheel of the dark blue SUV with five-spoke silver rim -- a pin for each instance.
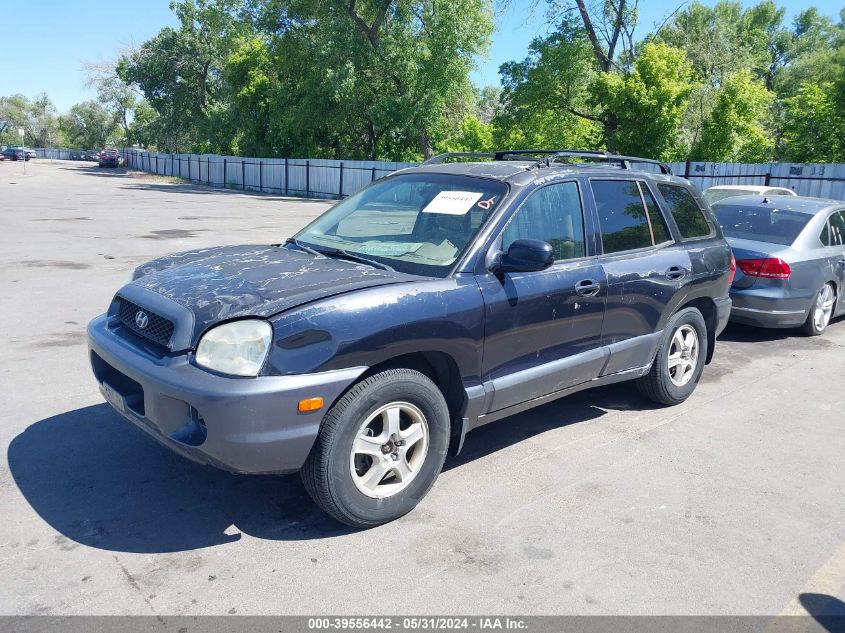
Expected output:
(380, 449)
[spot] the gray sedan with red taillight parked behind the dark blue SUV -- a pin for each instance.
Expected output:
(790, 255)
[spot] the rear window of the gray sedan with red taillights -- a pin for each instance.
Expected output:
(762, 224)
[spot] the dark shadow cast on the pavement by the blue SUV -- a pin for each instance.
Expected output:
(99, 481)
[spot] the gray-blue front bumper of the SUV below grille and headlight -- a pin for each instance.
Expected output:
(244, 425)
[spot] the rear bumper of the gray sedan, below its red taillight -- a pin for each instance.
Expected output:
(769, 307)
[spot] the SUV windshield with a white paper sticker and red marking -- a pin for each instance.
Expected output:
(414, 223)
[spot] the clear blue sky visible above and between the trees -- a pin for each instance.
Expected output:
(46, 42)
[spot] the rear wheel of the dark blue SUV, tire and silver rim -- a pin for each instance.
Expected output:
(679, 361)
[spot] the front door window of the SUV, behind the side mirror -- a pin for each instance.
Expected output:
(551, 214)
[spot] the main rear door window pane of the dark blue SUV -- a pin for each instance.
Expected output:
(623, 219)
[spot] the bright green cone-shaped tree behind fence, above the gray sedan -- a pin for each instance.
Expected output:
(738, 128)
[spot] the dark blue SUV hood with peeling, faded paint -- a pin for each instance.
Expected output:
(227, 282)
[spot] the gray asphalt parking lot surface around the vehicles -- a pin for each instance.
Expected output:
(731, 503)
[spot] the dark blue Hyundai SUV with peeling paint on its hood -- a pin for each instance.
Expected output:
(440, 298)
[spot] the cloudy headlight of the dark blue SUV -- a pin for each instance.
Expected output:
(238, 348)
